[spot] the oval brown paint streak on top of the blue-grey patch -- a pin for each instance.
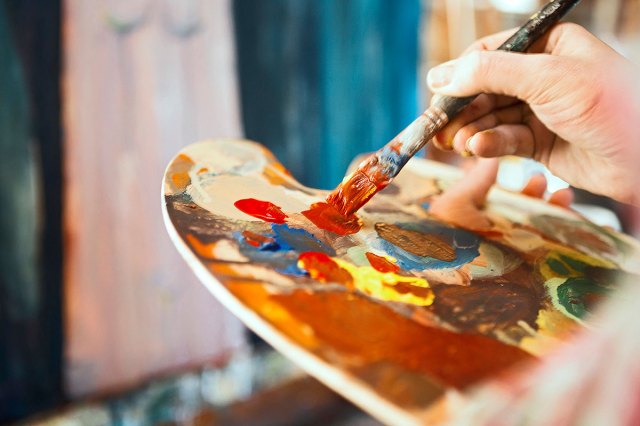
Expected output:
(415, 242)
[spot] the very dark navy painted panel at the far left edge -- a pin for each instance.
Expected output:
(30, 231)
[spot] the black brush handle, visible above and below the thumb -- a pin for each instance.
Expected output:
(520, 41)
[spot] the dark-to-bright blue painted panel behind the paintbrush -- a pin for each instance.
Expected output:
(322, 81)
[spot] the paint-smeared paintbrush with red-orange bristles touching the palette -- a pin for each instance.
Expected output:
(377, 171)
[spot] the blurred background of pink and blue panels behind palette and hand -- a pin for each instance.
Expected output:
(100, 320)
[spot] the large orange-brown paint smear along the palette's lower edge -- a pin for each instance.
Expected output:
(359, 329)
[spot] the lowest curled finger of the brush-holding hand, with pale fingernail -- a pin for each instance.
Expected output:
(505, 139)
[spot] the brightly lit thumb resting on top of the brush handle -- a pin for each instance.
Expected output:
(529, 77)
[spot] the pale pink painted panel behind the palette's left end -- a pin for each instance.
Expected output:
(141, 79)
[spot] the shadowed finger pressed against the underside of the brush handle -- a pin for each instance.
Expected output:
(480, 106)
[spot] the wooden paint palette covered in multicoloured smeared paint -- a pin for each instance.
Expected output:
(394, 309)
